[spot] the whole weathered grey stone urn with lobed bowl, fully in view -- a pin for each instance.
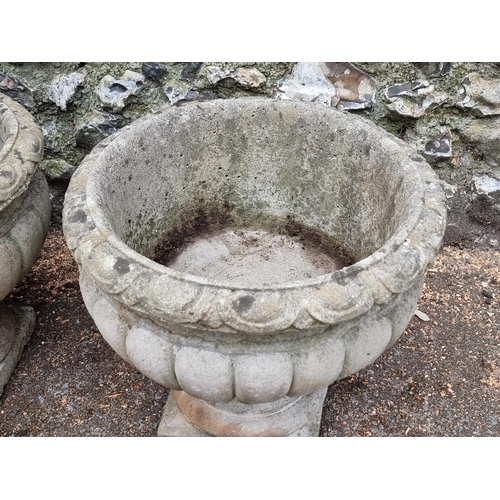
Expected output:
(247, 253)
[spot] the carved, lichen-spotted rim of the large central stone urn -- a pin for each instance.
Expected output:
(326, 299)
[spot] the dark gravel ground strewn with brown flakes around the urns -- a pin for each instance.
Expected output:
(442, 378)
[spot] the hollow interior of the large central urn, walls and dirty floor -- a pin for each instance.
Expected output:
(220, 195)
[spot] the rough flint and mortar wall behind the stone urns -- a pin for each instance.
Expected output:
(449, 112)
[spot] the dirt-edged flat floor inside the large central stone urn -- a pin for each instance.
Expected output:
(279, 251)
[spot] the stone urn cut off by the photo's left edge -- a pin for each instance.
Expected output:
(24, 222)
